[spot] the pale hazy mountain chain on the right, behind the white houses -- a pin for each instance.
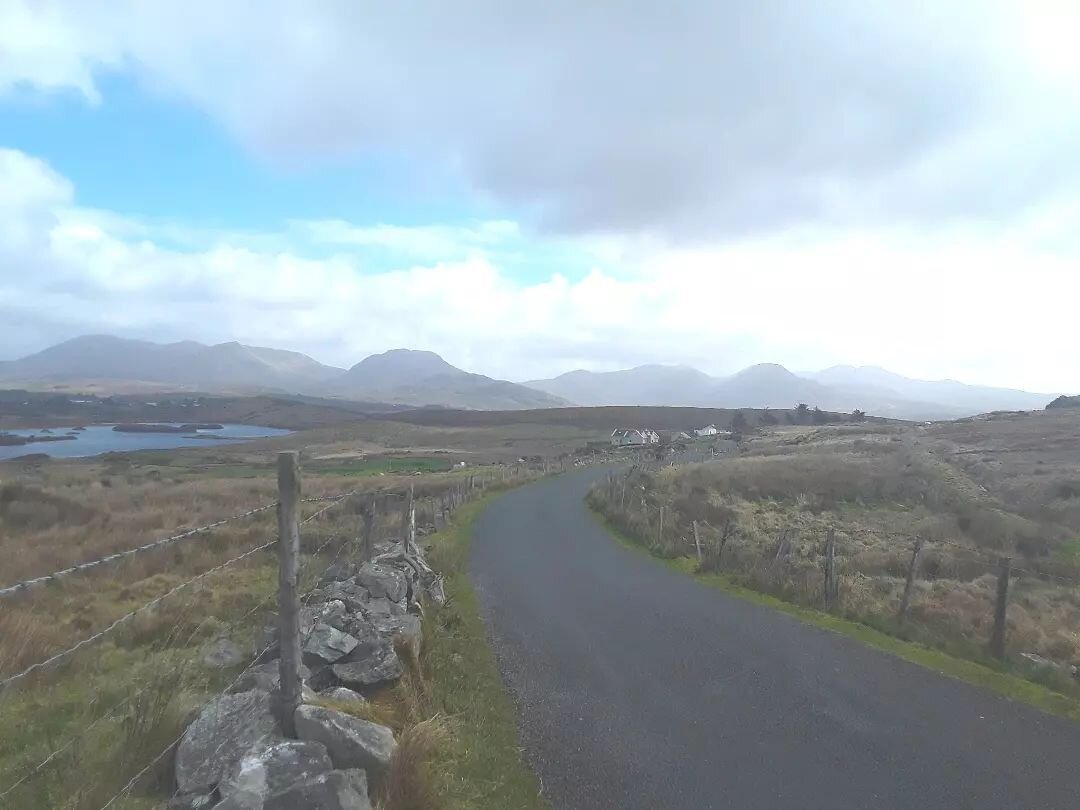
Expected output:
(767, 385)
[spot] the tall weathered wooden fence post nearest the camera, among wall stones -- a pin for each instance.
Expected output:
(289, 599)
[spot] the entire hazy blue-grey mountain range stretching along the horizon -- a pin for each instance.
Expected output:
(423, 379)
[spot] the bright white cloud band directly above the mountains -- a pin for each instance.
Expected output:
(980, 307)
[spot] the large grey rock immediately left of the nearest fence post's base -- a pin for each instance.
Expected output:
(229, 727)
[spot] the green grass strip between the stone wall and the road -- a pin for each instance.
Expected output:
(482, 764)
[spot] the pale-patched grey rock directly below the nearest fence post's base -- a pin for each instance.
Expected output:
(263, 774)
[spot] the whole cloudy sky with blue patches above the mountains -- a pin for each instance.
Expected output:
(535, 187)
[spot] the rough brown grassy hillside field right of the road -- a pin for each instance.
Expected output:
(973, 491)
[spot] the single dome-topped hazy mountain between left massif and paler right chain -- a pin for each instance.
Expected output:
(420, 379)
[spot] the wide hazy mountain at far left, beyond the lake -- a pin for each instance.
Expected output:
(186, 364)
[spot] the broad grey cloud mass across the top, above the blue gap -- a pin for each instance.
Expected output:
(694, 124)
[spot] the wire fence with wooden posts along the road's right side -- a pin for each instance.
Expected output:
(809, 565)
